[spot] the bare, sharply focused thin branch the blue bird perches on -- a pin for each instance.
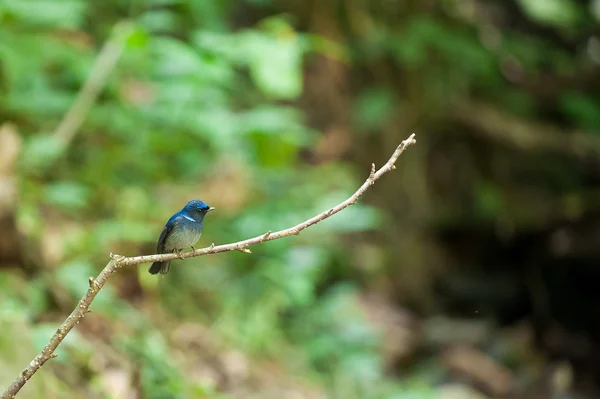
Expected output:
(118, 261)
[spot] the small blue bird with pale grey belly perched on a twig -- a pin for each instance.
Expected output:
(182, 231)
